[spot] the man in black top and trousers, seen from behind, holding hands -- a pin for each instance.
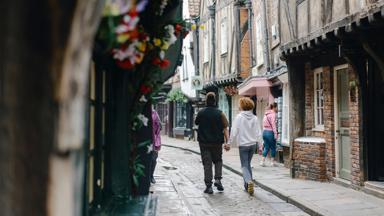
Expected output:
(212, 133)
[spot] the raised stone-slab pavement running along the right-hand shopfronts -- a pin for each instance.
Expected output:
(316, 198)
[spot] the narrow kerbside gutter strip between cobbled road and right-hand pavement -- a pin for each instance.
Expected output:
(292, 200)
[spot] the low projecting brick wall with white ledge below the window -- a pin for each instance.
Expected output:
(309, 160)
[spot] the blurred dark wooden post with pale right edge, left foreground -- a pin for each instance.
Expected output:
(44, 59)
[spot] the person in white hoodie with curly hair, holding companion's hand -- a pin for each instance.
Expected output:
(246, 132)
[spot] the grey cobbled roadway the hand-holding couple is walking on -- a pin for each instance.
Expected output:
(179, 188)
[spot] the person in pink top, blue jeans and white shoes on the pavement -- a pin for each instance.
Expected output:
(269, 134)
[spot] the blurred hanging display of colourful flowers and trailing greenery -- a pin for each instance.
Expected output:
(137, 47)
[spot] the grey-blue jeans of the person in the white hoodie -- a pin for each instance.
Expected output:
(246, 154)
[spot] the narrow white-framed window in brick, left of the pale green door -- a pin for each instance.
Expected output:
(319, 98)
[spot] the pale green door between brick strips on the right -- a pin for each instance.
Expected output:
(342, 122)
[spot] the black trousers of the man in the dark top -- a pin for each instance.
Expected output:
(212, 154)
